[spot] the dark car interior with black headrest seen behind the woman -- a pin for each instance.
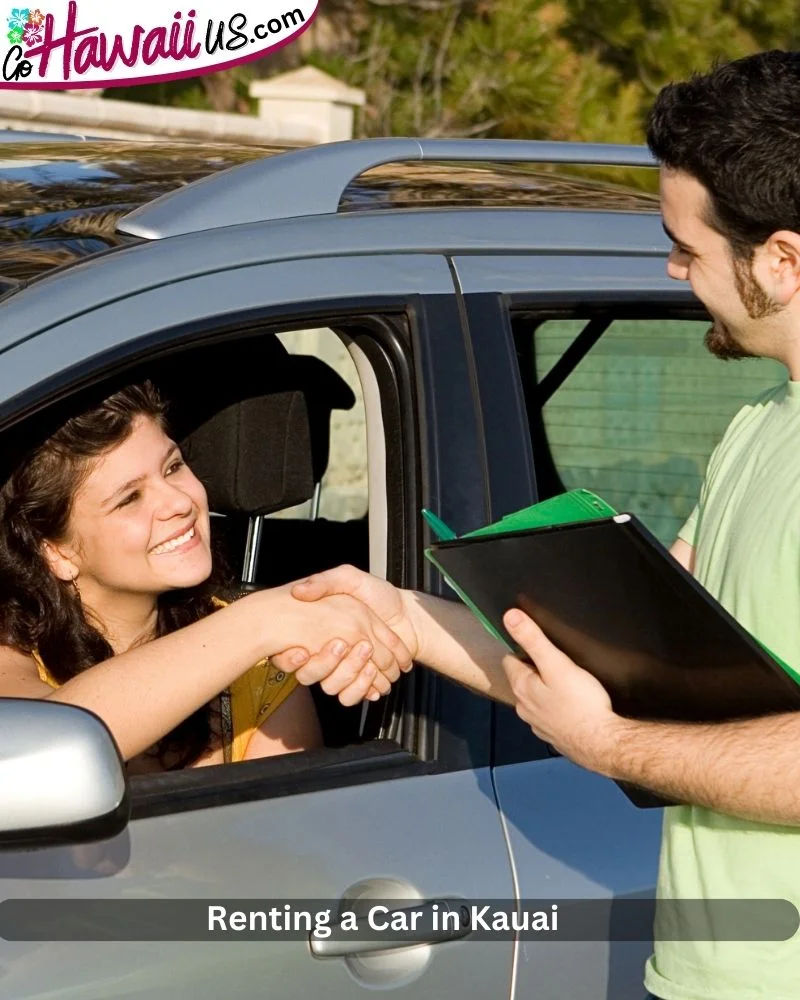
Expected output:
(254, 423)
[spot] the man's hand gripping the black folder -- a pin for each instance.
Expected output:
(562, 703)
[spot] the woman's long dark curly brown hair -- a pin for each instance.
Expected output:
(40, 612)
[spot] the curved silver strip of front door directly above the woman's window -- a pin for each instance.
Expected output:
(129, 323)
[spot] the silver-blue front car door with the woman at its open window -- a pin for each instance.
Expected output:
(325, 826)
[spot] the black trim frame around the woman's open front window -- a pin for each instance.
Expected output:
(387, 348)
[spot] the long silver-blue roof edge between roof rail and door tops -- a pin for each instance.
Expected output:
(128, 270)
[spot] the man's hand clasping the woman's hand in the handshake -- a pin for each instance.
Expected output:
(346, 671)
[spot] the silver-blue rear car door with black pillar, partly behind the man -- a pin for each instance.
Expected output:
(572, 834)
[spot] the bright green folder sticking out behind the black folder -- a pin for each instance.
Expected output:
(567, 508)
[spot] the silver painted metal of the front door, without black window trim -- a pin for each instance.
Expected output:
(315, 845)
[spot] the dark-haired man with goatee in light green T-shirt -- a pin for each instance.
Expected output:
(729, 148)
